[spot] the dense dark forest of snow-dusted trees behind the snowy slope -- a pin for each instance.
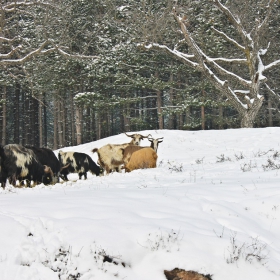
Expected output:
(76, 71)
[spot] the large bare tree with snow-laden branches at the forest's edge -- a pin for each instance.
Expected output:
(240, 88)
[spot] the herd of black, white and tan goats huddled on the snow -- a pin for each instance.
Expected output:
(40, 165)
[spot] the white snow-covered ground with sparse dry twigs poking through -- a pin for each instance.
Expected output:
(212, 205)
